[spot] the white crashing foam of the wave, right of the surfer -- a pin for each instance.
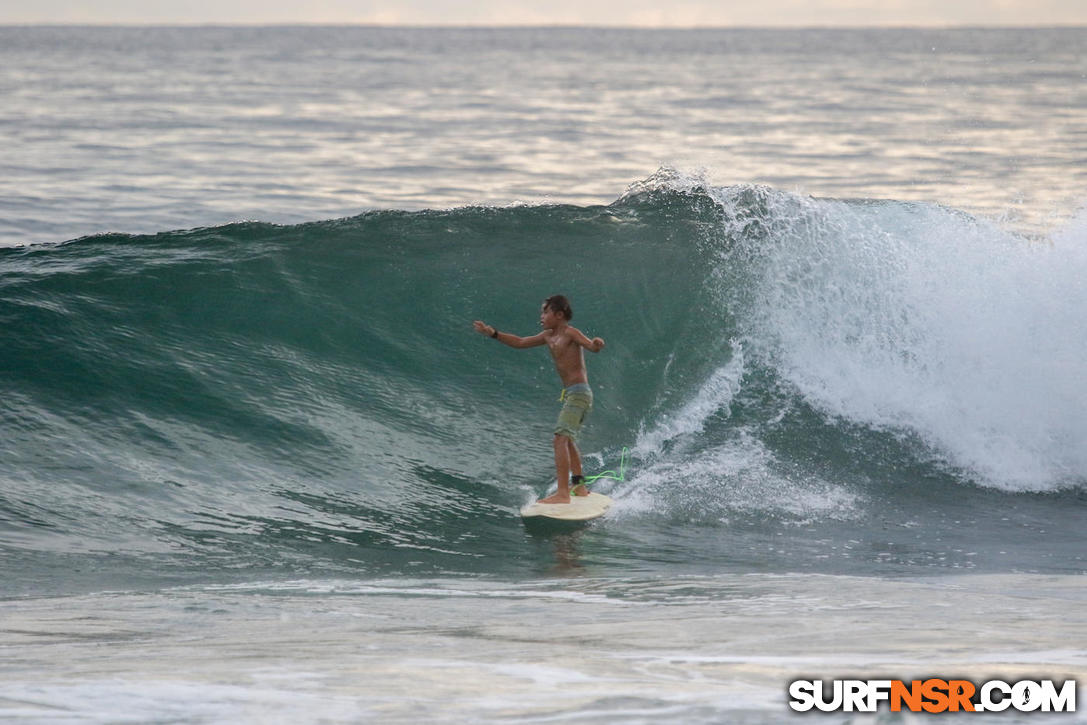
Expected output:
(915, 319)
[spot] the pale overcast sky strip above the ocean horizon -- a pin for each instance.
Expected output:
(647, 14)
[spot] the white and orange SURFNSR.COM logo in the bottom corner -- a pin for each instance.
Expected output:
(932, 695)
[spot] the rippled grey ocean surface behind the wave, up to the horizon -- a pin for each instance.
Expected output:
(147, 130)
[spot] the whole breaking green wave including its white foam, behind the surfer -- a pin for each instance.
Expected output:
(291, 398)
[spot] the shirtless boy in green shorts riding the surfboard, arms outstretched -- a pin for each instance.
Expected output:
(566, 344)
